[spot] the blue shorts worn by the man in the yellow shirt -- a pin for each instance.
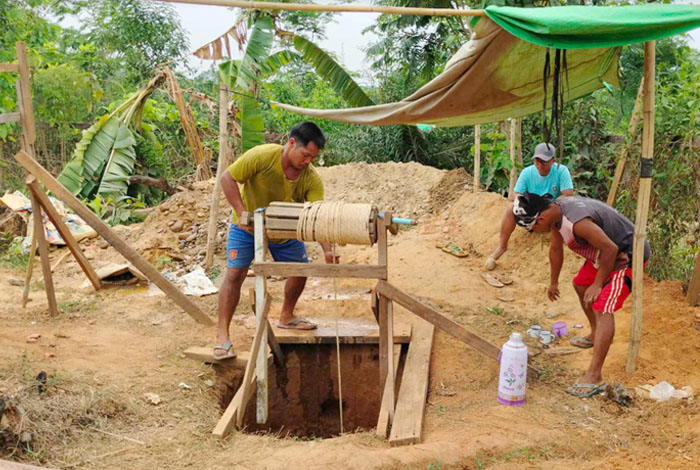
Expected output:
(240, 249)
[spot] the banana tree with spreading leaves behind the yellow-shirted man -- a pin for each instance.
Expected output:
(245, 76)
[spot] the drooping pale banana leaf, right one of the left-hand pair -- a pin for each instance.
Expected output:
(120, 165)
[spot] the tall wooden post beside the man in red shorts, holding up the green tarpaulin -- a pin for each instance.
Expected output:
(640, 226)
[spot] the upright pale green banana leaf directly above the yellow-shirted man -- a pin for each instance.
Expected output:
(255, 54)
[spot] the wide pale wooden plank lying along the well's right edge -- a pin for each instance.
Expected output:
(407, 426)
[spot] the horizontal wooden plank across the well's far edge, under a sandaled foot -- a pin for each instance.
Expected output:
(350, 331)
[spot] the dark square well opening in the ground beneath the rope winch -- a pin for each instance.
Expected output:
(303, 394)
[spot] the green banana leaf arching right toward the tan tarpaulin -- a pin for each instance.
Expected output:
(331, 72)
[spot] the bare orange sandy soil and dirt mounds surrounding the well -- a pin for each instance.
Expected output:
(107, 349)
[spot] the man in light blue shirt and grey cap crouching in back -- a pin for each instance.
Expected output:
(544, 178)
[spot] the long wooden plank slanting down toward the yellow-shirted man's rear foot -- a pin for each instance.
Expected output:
(112, 238)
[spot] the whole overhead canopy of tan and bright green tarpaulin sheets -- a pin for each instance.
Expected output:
(497, 74)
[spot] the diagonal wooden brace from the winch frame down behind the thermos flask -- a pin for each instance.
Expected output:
(445, 324)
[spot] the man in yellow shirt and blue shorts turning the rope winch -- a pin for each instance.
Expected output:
(268, 173)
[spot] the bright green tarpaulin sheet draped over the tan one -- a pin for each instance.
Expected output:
(585, 27)
